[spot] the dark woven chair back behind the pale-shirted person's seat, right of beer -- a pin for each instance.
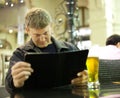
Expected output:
(109, 71)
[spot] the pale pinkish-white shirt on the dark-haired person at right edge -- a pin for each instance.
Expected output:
(109, 52)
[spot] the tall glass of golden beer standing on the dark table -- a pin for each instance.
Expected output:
(93, 71)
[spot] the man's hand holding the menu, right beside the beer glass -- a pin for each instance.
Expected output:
(81, 80)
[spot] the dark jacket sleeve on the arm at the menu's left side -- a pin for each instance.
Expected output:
(18, 55)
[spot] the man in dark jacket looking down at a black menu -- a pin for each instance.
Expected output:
(38, 26)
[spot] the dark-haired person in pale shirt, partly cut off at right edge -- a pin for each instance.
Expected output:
(110, 51)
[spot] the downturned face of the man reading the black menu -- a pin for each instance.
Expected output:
(40, 37)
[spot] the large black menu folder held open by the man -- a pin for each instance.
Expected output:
(54, 69)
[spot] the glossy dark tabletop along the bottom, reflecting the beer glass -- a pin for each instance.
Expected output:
(105, 91)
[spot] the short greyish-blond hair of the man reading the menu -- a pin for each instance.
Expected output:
(37, 18)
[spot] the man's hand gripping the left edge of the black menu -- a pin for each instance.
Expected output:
(21, 72)
